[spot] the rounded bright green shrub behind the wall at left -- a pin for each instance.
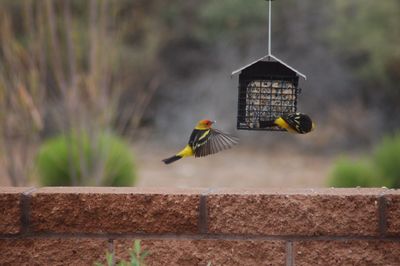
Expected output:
(77, 159)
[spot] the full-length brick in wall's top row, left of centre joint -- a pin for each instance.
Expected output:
(115, 210)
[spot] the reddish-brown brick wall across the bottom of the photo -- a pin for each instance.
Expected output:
(75, 226)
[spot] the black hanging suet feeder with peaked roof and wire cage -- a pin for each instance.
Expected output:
(268, 88)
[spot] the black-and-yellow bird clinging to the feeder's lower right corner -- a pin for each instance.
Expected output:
(295, 123)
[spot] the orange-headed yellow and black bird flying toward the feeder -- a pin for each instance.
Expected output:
(204, 141)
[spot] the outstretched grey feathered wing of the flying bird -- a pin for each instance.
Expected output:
(216, 141)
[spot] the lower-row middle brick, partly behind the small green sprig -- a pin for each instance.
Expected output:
(201, 252)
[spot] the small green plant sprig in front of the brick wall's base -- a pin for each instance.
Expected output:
(137, 257)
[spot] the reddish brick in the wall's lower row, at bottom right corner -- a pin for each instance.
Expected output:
(355, 252)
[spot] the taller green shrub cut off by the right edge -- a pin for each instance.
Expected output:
(387, 160)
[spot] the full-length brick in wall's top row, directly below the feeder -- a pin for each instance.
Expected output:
(332, 212)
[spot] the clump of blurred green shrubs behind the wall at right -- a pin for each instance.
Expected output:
(381, 169)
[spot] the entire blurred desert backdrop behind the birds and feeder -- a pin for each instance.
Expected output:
(97, 92)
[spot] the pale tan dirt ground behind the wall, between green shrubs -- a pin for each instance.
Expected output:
(236, 168)
